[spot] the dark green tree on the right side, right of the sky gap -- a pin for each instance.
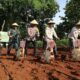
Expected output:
(72, 16)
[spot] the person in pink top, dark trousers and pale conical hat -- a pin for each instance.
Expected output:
(32, 34)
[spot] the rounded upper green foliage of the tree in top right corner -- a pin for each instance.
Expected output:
(73, 11)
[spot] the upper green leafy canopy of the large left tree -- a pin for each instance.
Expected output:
(17, 9)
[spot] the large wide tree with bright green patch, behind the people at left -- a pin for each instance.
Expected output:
(26, 10)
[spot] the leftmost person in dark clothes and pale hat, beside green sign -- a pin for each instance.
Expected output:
(13, 38)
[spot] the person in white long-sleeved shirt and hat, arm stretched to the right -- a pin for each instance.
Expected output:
(49, 33)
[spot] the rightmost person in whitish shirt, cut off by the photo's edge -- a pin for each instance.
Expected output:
(74, 35)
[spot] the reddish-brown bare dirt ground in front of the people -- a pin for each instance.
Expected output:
(32, 69)
